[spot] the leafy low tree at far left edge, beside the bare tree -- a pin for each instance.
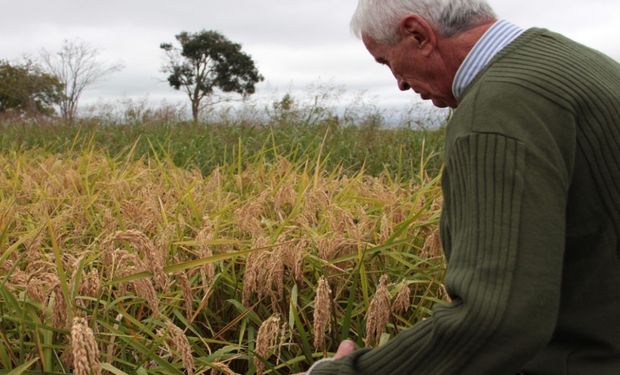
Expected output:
(26, 89)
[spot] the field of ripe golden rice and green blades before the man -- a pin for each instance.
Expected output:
(257, 257)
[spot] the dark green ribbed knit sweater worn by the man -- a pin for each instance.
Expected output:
(530, 225)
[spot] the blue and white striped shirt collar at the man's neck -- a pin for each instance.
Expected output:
(498, 36)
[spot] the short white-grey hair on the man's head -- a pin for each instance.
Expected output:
(379, 19)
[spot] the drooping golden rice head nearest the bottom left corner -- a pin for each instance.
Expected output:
(85, 350)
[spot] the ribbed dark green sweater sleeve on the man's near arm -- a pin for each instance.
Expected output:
(504, 227)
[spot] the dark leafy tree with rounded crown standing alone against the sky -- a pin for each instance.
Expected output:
(207, 60)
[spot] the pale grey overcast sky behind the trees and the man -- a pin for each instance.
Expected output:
(295, 43)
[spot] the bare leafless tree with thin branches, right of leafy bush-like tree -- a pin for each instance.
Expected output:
(76, 66)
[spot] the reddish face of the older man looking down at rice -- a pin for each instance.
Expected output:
(424, 73)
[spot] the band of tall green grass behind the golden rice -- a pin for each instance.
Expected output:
(205, 146)
